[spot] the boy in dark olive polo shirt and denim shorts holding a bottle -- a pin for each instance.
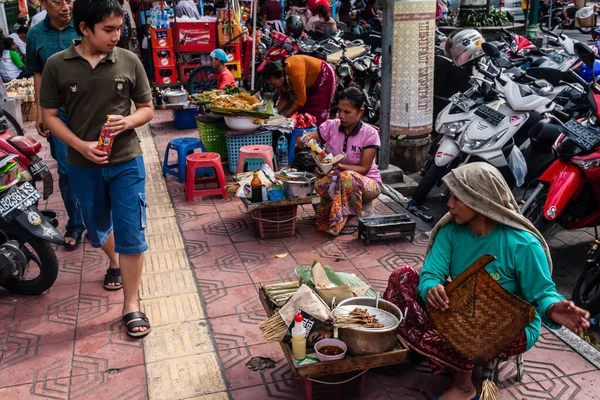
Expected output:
(95, 82)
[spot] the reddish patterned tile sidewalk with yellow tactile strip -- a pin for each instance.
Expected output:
(201, 296)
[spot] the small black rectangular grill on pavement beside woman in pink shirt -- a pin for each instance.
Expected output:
(397, 225)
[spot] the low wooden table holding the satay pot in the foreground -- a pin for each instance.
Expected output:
(310, 371)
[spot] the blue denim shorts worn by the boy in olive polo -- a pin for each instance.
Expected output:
(113, 199)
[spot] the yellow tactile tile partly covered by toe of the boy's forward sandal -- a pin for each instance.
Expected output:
(179, 340)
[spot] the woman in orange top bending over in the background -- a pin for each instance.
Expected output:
(310, 80)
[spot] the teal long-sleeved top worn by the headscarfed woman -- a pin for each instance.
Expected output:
(521, 266)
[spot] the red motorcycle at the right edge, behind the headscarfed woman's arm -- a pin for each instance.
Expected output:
(568, 193)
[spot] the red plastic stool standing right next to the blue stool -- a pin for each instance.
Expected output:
(197, 161)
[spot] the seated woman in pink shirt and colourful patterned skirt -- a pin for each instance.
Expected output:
(356, 179)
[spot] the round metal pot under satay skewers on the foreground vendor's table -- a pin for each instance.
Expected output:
(361, 341)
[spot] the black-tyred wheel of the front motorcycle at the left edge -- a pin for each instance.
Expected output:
(42, 268)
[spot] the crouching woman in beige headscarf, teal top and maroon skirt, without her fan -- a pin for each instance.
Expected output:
(484, 218)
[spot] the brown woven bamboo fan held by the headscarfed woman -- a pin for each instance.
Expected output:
(484, 318)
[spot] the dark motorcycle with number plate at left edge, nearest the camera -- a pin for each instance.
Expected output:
(28, 263)
